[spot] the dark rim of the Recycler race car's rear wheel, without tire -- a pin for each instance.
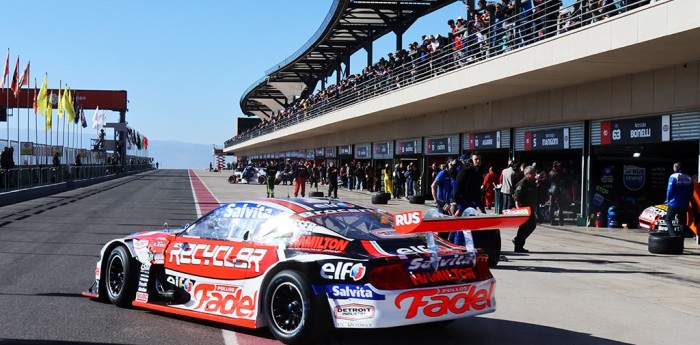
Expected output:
(287, 308)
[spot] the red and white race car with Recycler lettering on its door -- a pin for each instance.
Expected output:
(301, 266)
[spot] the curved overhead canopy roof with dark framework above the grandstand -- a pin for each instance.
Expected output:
(349, 26)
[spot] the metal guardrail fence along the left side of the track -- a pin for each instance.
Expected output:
(28, 177)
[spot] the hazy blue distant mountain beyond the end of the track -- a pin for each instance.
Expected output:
(179, 155)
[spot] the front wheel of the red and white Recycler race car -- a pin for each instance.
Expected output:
(120, 278)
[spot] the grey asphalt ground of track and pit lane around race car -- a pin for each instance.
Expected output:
(577, 286)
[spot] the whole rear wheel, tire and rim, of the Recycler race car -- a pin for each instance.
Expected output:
(294, 314)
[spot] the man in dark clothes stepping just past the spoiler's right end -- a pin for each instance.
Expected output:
(525, 195)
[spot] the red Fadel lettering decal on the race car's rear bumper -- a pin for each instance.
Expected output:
(440, 301)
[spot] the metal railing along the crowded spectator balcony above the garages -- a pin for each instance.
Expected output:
(512, 33)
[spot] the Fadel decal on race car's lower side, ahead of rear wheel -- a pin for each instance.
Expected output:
(224, 300)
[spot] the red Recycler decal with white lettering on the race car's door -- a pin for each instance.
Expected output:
(219, 259)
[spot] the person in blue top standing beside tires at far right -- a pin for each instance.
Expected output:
(678, 193)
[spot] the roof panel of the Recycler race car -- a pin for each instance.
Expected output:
(303, 207)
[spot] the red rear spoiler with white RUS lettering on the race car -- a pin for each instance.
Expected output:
(412, 222)
